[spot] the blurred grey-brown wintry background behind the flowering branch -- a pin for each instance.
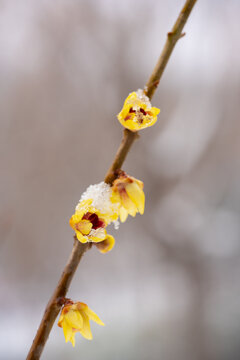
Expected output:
(170, 288)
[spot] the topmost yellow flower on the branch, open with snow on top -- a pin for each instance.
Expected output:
(137, 112)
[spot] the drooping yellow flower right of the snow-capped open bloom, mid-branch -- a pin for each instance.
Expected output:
(128, 192)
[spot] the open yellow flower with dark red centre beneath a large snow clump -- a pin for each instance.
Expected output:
(88, 223)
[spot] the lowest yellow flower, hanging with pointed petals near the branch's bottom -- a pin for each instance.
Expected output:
(75, 318)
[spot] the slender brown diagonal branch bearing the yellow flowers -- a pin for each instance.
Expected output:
(54, 305)
